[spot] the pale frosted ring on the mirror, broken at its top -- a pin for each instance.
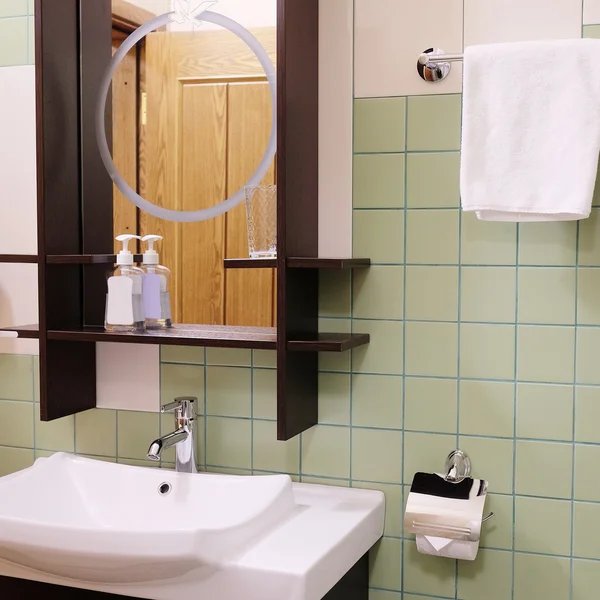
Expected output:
(266, 161)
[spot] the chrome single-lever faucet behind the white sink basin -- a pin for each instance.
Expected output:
(183, 438)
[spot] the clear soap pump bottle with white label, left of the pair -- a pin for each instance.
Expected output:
(124, 306)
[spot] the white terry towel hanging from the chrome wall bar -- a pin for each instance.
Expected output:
(531, 130)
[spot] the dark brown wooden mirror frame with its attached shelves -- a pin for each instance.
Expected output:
(75, 228)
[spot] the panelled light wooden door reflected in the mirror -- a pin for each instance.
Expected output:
(207, 122)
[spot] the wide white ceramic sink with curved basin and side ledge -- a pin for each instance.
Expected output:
(107, 527)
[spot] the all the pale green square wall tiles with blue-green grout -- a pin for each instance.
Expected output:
(485, 336)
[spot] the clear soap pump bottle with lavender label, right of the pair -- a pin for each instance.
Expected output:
(155, 288)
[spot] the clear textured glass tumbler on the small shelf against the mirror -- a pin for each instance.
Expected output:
(261, 208)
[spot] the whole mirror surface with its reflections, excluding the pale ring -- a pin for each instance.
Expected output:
(191, 117)
